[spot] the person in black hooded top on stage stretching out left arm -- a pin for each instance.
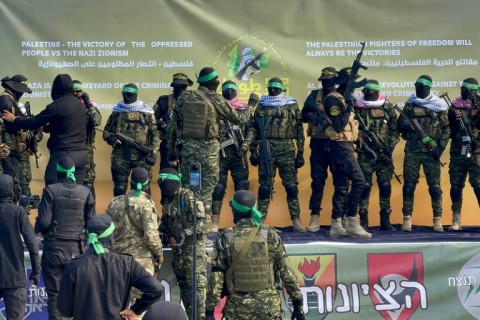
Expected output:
(65, 120)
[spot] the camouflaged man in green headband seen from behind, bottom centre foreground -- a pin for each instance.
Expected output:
(250, 259)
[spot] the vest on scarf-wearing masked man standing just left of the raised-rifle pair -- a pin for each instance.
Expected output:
(281, 122)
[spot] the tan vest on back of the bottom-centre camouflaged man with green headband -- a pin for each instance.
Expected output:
(254, 272)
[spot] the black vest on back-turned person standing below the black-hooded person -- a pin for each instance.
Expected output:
(68, 217)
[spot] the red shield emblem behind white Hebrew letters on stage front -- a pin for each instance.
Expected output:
(396, 284)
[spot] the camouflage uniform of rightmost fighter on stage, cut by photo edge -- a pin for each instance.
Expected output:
(462, 160)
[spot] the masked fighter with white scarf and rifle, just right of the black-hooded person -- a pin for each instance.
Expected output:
(135, 120)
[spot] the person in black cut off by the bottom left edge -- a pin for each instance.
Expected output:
(14, 225)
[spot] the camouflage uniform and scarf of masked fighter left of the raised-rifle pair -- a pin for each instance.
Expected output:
(284, 132)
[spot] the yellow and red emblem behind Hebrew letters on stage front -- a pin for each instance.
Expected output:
(317, 278)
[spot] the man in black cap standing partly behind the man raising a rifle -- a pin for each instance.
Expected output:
(313, 113)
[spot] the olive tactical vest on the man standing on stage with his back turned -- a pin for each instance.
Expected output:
(199, 117)
